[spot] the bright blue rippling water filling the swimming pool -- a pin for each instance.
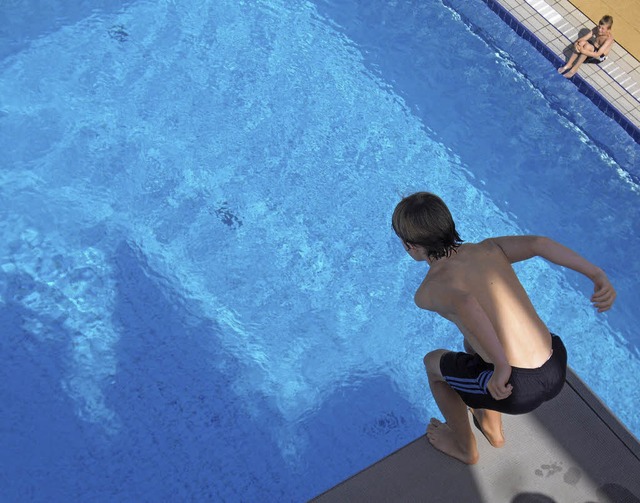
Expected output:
(201, 295)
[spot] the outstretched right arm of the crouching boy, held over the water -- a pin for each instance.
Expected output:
(517, 248)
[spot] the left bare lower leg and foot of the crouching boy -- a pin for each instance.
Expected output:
(454, 437)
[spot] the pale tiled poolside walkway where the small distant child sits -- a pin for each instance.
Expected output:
(558, 23)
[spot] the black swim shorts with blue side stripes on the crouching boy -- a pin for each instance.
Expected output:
(469, 374)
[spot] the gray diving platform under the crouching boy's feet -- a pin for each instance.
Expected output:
(570, 450)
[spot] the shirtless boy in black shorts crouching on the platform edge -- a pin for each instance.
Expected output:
(513, 363)
